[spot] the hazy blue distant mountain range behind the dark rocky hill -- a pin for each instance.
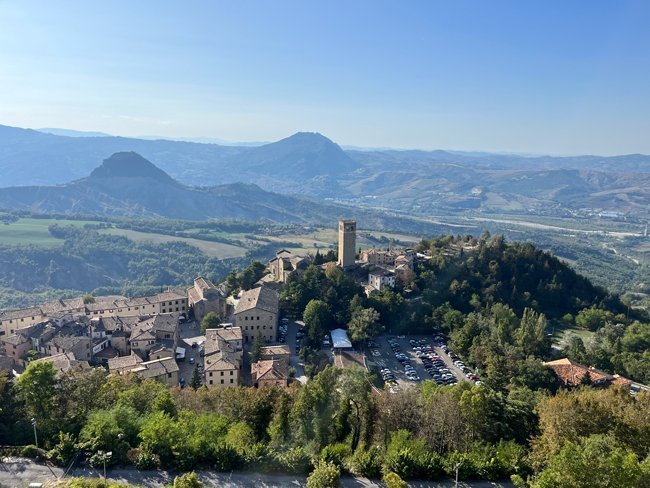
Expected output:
(310, 164)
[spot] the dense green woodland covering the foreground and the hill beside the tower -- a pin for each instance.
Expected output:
(494, 301)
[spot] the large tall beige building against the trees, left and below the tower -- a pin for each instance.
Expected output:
(256, 313)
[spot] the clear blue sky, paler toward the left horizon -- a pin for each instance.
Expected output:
(552, 77)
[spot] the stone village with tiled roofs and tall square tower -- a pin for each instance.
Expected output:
(154, 336)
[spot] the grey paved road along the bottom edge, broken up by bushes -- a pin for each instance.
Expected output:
(19, 472)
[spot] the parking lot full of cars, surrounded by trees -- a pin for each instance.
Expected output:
(406, 360)
